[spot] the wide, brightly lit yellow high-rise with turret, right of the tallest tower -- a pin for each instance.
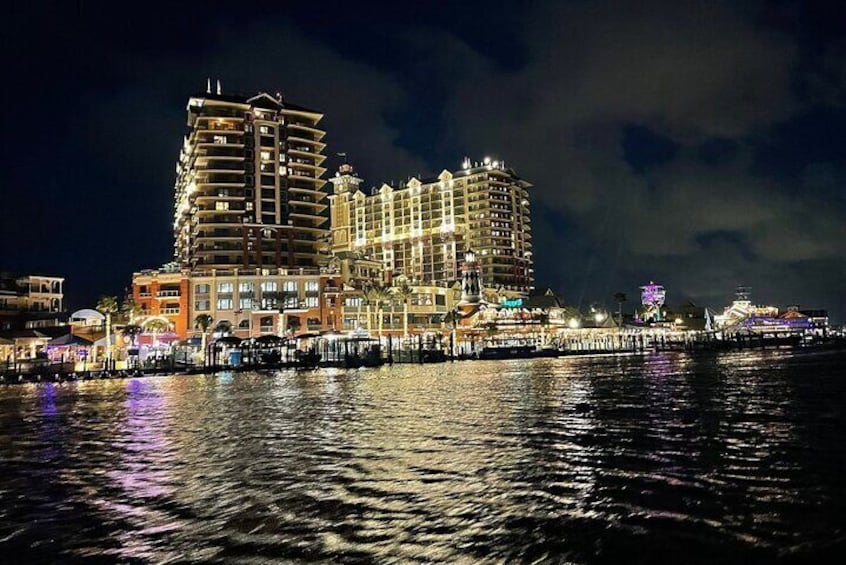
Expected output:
(423, 228)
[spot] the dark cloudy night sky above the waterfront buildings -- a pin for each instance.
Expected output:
(701, 145)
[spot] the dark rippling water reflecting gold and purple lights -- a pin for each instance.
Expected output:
(715, 458)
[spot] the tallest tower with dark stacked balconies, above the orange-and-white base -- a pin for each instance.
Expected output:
(249, 191)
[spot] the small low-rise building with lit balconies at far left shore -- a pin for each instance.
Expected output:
(31, 301)
